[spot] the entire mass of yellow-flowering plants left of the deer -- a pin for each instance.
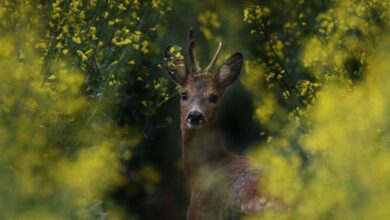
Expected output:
(60, 146)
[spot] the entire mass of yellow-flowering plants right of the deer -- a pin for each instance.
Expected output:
(326, 153)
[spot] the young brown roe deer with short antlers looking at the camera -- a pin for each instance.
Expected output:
(223, 185)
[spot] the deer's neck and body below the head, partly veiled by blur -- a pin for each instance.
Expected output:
(220, 181)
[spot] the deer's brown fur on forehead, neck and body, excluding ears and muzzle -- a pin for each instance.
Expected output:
(223, 185)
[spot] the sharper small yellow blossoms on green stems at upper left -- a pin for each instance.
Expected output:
(103, 36)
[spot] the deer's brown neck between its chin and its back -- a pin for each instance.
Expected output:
(201, 147)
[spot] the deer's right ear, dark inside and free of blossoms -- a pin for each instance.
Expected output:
(230, 69)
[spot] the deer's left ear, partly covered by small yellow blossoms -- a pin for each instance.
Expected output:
(177, 68)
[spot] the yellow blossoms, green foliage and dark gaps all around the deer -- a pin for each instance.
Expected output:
(89, 125)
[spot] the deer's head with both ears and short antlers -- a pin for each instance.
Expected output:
(201, 90)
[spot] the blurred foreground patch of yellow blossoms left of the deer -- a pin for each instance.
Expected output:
(58, 159)
